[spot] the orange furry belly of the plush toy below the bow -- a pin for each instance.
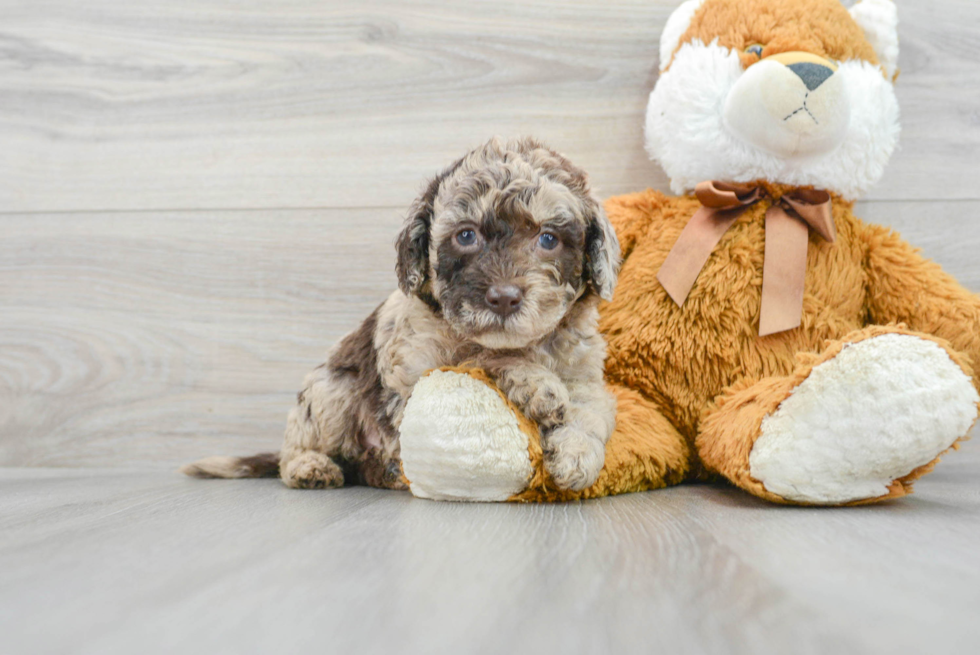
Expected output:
(683, 357)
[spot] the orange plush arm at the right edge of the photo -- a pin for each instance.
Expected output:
(905, 287)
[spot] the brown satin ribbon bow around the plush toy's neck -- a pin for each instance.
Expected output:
(787, 237)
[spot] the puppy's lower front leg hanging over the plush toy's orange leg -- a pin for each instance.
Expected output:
(575, 451)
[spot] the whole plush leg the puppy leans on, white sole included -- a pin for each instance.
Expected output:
(462, 439)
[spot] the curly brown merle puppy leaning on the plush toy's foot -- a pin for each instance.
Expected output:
(501, 263)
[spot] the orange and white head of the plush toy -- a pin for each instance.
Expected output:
(795, 92)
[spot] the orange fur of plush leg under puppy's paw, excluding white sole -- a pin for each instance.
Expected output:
(644, 452)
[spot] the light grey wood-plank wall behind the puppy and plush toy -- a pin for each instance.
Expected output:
(198, 197)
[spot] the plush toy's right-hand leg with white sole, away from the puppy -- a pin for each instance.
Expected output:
(858, 423)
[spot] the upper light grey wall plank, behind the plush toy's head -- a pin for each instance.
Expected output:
(302, 103)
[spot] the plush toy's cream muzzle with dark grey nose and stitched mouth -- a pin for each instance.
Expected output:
(790, 104)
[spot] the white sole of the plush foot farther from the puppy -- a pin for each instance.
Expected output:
(877, 411)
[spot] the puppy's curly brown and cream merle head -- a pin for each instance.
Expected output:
(505, 242)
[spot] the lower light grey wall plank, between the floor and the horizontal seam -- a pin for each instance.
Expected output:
(157, 338)
